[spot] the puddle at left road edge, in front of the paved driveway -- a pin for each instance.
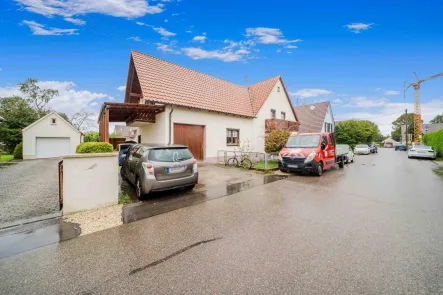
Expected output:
(22, 241)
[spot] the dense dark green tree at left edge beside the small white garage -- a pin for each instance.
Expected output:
(17, 114)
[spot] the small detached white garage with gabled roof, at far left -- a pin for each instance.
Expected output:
(50, 136)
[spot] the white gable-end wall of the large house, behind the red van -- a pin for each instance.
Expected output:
(278, 101)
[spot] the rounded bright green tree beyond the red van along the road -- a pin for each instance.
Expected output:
(353, 132)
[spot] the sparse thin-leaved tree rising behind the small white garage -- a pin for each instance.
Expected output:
(38, 98)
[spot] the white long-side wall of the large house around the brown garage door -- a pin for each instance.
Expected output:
(215, 128)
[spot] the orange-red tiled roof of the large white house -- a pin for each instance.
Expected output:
(164, 82)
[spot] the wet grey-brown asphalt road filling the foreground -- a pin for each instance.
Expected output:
(371, 228)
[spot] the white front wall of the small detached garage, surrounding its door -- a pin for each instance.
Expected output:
(45, 128)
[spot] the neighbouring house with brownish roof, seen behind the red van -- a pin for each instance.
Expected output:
(315, 117)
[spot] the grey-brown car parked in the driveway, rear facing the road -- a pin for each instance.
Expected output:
(154, 167)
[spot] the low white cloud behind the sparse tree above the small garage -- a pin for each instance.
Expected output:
(69, 100)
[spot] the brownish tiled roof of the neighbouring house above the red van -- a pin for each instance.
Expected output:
(312, 116)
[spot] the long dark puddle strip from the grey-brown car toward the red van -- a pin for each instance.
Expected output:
(163, 202)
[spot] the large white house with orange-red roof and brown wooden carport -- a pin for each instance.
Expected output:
(173, 104)
